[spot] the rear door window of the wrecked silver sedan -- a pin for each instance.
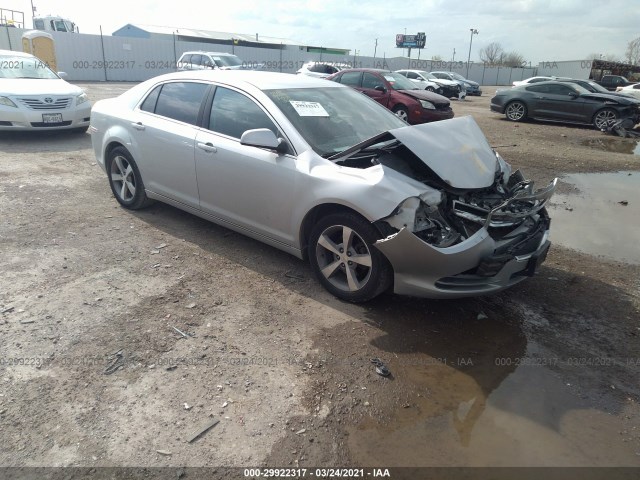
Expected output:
(181, 101)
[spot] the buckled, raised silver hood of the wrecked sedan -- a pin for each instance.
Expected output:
(456, 150)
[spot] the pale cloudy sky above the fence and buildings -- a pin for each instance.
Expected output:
(540, 30)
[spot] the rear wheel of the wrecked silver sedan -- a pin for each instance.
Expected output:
(125, 179)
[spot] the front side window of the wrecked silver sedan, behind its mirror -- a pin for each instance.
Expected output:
(233, 113)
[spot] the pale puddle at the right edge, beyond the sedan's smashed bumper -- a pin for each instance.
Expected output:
(602, 217)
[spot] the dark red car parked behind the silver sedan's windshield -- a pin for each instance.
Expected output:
(397, 93)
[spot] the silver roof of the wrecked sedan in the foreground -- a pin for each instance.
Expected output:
(257, 79)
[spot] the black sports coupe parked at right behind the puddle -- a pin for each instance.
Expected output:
(564, 102)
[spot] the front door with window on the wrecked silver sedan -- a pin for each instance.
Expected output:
(250, 187)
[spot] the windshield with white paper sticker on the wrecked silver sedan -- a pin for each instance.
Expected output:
(333, 119)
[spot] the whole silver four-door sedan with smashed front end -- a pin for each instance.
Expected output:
(323, 172)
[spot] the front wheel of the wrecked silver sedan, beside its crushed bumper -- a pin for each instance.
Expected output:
(336, 267)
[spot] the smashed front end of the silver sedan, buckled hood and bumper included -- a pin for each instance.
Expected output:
(473, 232)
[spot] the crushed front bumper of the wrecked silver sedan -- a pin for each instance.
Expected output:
(478, 265)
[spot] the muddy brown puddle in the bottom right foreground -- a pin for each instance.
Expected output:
(531, 419)
